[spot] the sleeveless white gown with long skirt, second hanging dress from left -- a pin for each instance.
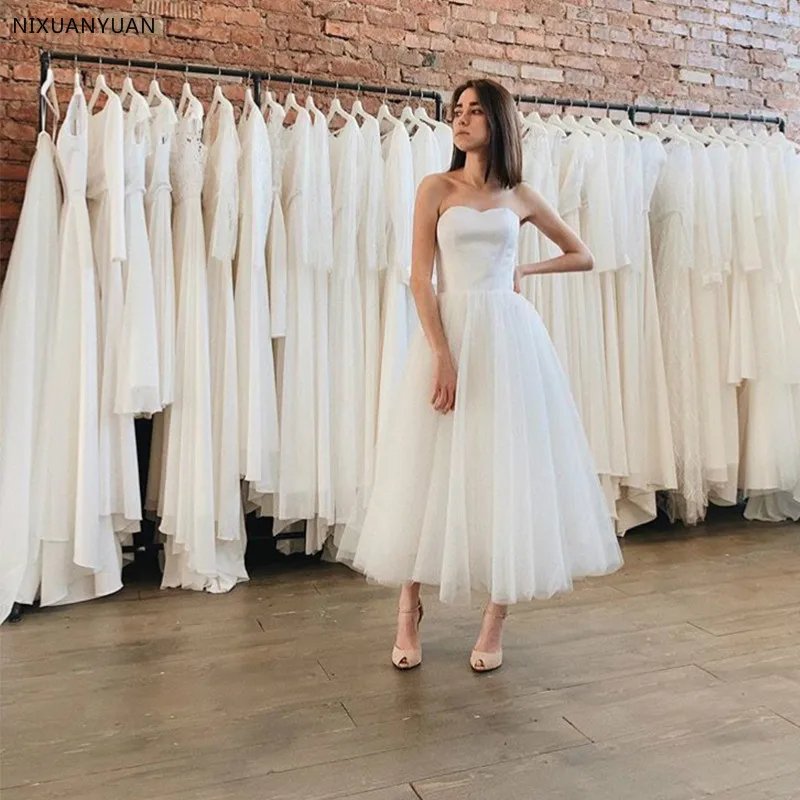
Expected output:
(80, 557)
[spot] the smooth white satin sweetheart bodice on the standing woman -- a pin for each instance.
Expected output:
(476, 250)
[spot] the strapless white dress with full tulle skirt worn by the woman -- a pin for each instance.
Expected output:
(501, 495)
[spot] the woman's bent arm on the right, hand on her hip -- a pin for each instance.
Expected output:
(576, 258)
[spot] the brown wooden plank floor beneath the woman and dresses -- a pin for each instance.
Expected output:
(676, 679)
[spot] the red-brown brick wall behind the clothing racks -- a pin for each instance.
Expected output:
(722, 54)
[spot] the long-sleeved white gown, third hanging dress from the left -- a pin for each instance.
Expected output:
(119, 468)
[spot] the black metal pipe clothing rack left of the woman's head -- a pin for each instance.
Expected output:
(46, 58)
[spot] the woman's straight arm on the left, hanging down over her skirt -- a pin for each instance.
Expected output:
(430, 194)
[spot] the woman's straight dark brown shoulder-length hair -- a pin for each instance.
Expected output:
(505, 147)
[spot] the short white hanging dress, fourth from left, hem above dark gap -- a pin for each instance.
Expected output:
(138, 388)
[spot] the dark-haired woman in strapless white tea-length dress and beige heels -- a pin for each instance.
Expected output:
(484, 479)
